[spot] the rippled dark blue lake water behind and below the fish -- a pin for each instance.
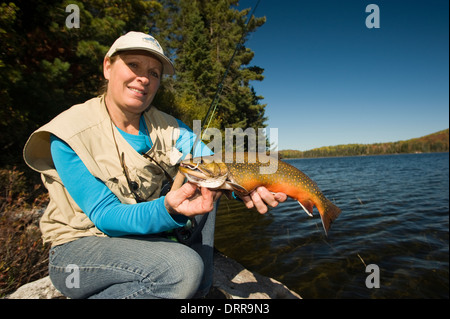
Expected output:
(395, 214)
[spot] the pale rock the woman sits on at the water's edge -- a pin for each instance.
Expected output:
(231, 281)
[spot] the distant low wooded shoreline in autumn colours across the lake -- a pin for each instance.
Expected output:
(436, 142)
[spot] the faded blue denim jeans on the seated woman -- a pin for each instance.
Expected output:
(135, 267)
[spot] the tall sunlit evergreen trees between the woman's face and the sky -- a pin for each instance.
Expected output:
(208, 32)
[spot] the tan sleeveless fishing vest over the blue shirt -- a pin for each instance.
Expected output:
(88, 130)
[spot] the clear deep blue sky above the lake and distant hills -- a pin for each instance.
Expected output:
(330, 80)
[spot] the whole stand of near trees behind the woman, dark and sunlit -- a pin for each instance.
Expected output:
(46, 66)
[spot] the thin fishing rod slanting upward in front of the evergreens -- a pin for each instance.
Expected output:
(215, 102)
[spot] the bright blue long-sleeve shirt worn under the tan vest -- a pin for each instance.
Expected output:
(102, 206)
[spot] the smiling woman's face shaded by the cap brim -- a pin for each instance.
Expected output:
(133, 79)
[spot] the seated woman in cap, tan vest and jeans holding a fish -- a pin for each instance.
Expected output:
(105, 163)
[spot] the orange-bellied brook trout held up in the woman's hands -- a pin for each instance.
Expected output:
(243, 177)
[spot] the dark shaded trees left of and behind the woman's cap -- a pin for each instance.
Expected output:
(46, 67)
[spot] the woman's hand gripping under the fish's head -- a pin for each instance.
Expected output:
(186, 200)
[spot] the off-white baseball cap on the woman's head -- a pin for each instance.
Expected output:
(140, 41)
